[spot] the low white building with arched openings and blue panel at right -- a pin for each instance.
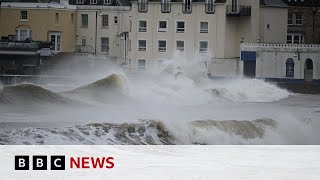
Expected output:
(282, 62)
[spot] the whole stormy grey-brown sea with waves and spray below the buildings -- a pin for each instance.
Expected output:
(175, 104)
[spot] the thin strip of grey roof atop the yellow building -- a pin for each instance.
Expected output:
(36, 5)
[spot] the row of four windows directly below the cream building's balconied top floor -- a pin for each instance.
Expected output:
(163, 26)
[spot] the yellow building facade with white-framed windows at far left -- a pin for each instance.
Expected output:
(52, 22)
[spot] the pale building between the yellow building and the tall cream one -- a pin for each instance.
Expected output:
(102, 28)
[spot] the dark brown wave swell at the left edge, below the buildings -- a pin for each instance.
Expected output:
(29, 94)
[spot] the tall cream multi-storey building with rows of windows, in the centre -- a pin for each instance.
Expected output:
(159, 28)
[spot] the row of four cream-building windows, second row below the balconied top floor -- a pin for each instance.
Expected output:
(162, 46)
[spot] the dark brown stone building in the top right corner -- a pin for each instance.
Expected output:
(303, 21)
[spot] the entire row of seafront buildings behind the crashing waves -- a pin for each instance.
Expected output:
(233, 37)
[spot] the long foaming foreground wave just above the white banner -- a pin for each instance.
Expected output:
(150, 132)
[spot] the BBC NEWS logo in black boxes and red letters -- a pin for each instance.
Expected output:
(58, 162)
